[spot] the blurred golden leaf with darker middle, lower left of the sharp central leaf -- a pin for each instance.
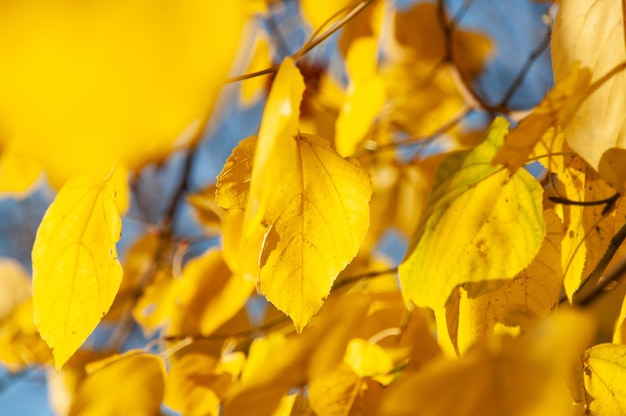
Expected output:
(208, 295)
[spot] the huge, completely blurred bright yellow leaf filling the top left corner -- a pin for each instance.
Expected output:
(86, 86)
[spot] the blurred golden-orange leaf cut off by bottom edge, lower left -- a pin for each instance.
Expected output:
(131, 383)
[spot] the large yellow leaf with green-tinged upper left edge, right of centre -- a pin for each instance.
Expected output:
(481, 224)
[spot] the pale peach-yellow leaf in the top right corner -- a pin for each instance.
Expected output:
(592, 32)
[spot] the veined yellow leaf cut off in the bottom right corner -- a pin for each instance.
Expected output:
(605, 369)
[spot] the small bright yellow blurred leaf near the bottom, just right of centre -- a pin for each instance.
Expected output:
(367, 359)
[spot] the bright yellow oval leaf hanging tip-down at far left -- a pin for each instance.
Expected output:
(76, 273)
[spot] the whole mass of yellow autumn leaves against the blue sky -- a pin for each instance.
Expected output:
(499, 306)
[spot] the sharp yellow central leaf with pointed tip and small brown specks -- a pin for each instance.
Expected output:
(318, 218)
